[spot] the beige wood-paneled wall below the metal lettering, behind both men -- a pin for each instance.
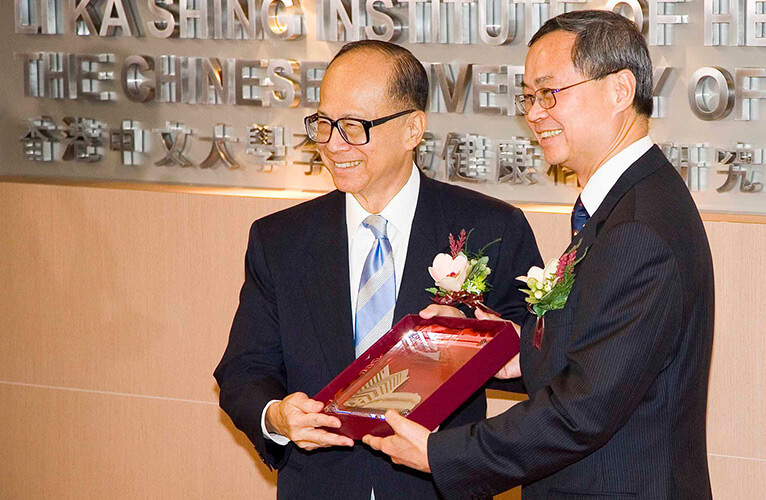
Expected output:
(115, 307)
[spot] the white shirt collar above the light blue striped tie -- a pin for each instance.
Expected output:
(399, 212)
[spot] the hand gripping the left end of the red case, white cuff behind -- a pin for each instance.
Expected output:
(297, 418)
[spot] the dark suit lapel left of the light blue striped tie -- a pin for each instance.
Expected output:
(327, 286)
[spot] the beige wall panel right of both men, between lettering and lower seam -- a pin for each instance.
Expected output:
(737, 397)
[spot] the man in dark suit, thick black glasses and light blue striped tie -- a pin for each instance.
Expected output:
(326, 278)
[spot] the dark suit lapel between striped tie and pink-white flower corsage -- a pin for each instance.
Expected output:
(428, 237)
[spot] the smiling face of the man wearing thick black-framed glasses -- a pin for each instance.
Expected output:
(356, 86)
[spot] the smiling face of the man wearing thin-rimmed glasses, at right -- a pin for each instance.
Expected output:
(578, 131)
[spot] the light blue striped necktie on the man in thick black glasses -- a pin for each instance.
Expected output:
(377, 288)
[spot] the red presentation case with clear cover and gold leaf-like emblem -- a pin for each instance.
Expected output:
(423, 368)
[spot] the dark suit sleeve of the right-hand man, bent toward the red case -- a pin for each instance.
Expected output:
(625, 328)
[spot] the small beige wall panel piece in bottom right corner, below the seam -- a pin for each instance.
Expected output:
(736, 478)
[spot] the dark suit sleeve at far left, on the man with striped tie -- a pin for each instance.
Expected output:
(252, 370)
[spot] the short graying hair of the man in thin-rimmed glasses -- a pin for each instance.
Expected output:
(606, 43)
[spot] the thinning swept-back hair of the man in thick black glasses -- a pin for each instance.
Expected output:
(409, 82)
